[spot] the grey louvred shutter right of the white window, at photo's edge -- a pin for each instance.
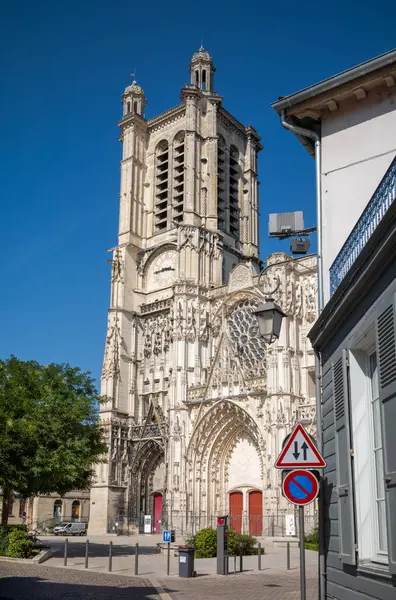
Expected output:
(386, 350)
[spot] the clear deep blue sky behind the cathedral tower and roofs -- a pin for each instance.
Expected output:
(64, 65)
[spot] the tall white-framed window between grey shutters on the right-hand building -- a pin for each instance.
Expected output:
(368, 469)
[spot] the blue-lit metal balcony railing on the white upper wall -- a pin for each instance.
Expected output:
(383, 197)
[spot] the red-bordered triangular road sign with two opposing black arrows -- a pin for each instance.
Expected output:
(300, 452)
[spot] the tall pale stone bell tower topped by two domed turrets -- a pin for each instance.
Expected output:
(188, 216)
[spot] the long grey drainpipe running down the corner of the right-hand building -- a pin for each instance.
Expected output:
(307, 133)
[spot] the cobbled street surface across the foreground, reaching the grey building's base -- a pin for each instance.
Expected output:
(23, 581)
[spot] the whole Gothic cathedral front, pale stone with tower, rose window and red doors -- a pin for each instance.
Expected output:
(197, 405)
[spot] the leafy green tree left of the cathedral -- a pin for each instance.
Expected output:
(50, 436)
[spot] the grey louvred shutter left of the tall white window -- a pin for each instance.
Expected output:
(346, 525)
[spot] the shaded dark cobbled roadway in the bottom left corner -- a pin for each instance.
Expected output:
(20, 581)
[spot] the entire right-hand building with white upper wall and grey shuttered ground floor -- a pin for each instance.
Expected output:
(354, 116)
